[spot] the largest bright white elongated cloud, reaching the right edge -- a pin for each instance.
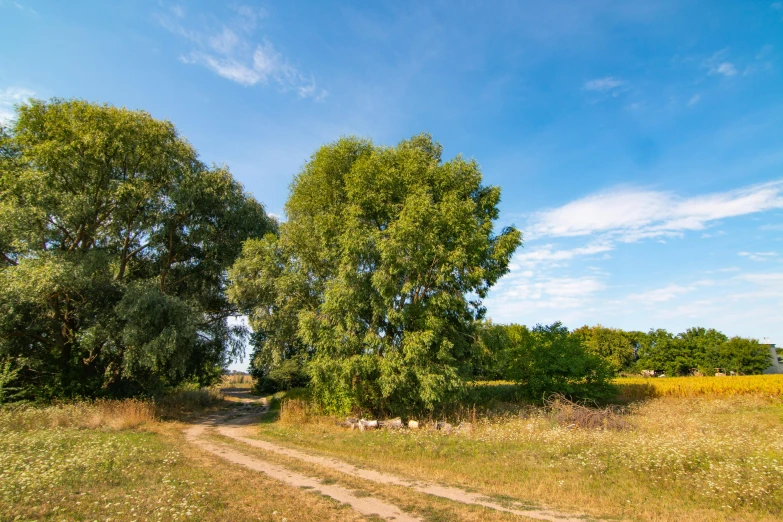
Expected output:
(629, 214)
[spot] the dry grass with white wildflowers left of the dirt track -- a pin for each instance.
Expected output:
(118, 461)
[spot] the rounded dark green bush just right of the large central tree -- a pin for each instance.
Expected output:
(550, 359)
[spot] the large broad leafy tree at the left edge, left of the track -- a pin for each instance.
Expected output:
(114, 245)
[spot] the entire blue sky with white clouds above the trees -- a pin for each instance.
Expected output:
(638, 144)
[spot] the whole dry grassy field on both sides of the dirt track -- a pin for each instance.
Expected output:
(702, 449)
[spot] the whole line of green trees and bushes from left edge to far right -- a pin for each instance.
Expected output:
(125, 260)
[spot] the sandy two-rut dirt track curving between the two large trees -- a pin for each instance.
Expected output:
(238, 424)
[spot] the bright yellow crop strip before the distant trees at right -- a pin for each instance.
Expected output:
(650, 387)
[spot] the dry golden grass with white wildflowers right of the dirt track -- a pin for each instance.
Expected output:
(699, 457)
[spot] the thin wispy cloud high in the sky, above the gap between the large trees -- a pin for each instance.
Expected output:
(231, 50)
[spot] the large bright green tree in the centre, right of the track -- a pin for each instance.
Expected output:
(377, 276)
